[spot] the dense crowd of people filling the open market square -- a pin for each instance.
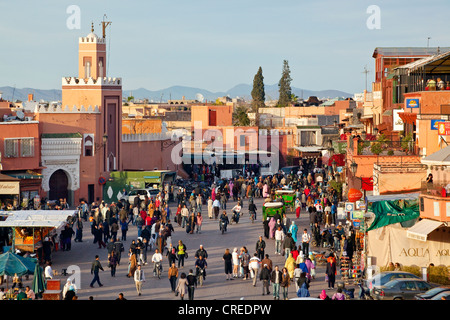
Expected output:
(152, 218)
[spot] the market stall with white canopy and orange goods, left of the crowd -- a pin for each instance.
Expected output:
(31, 227)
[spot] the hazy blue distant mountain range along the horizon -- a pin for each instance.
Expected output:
(175, 93)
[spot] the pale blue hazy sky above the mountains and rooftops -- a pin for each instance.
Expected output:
(215, 45)
